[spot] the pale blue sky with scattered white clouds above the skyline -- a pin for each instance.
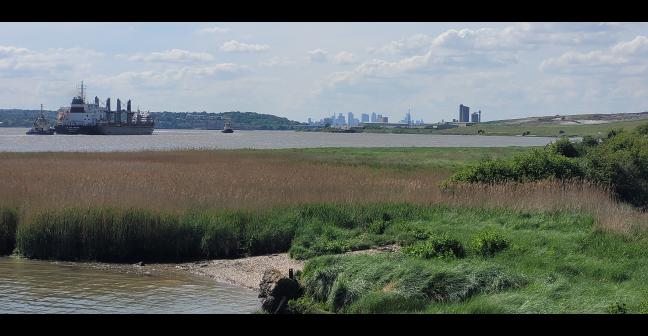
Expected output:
(301, 70)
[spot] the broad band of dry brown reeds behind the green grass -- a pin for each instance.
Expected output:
(199, 180)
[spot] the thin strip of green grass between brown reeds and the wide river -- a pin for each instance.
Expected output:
(403, 158)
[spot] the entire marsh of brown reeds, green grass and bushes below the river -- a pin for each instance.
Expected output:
(549, 229)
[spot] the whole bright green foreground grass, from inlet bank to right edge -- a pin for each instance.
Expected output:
(509, 261)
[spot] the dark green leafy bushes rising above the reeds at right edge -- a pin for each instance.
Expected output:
(620, 162)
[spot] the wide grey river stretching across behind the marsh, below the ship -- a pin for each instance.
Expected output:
(15, 140)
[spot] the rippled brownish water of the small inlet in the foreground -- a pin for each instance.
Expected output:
(31, 286)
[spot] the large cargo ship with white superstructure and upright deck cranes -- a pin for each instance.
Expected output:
(93, 119)
